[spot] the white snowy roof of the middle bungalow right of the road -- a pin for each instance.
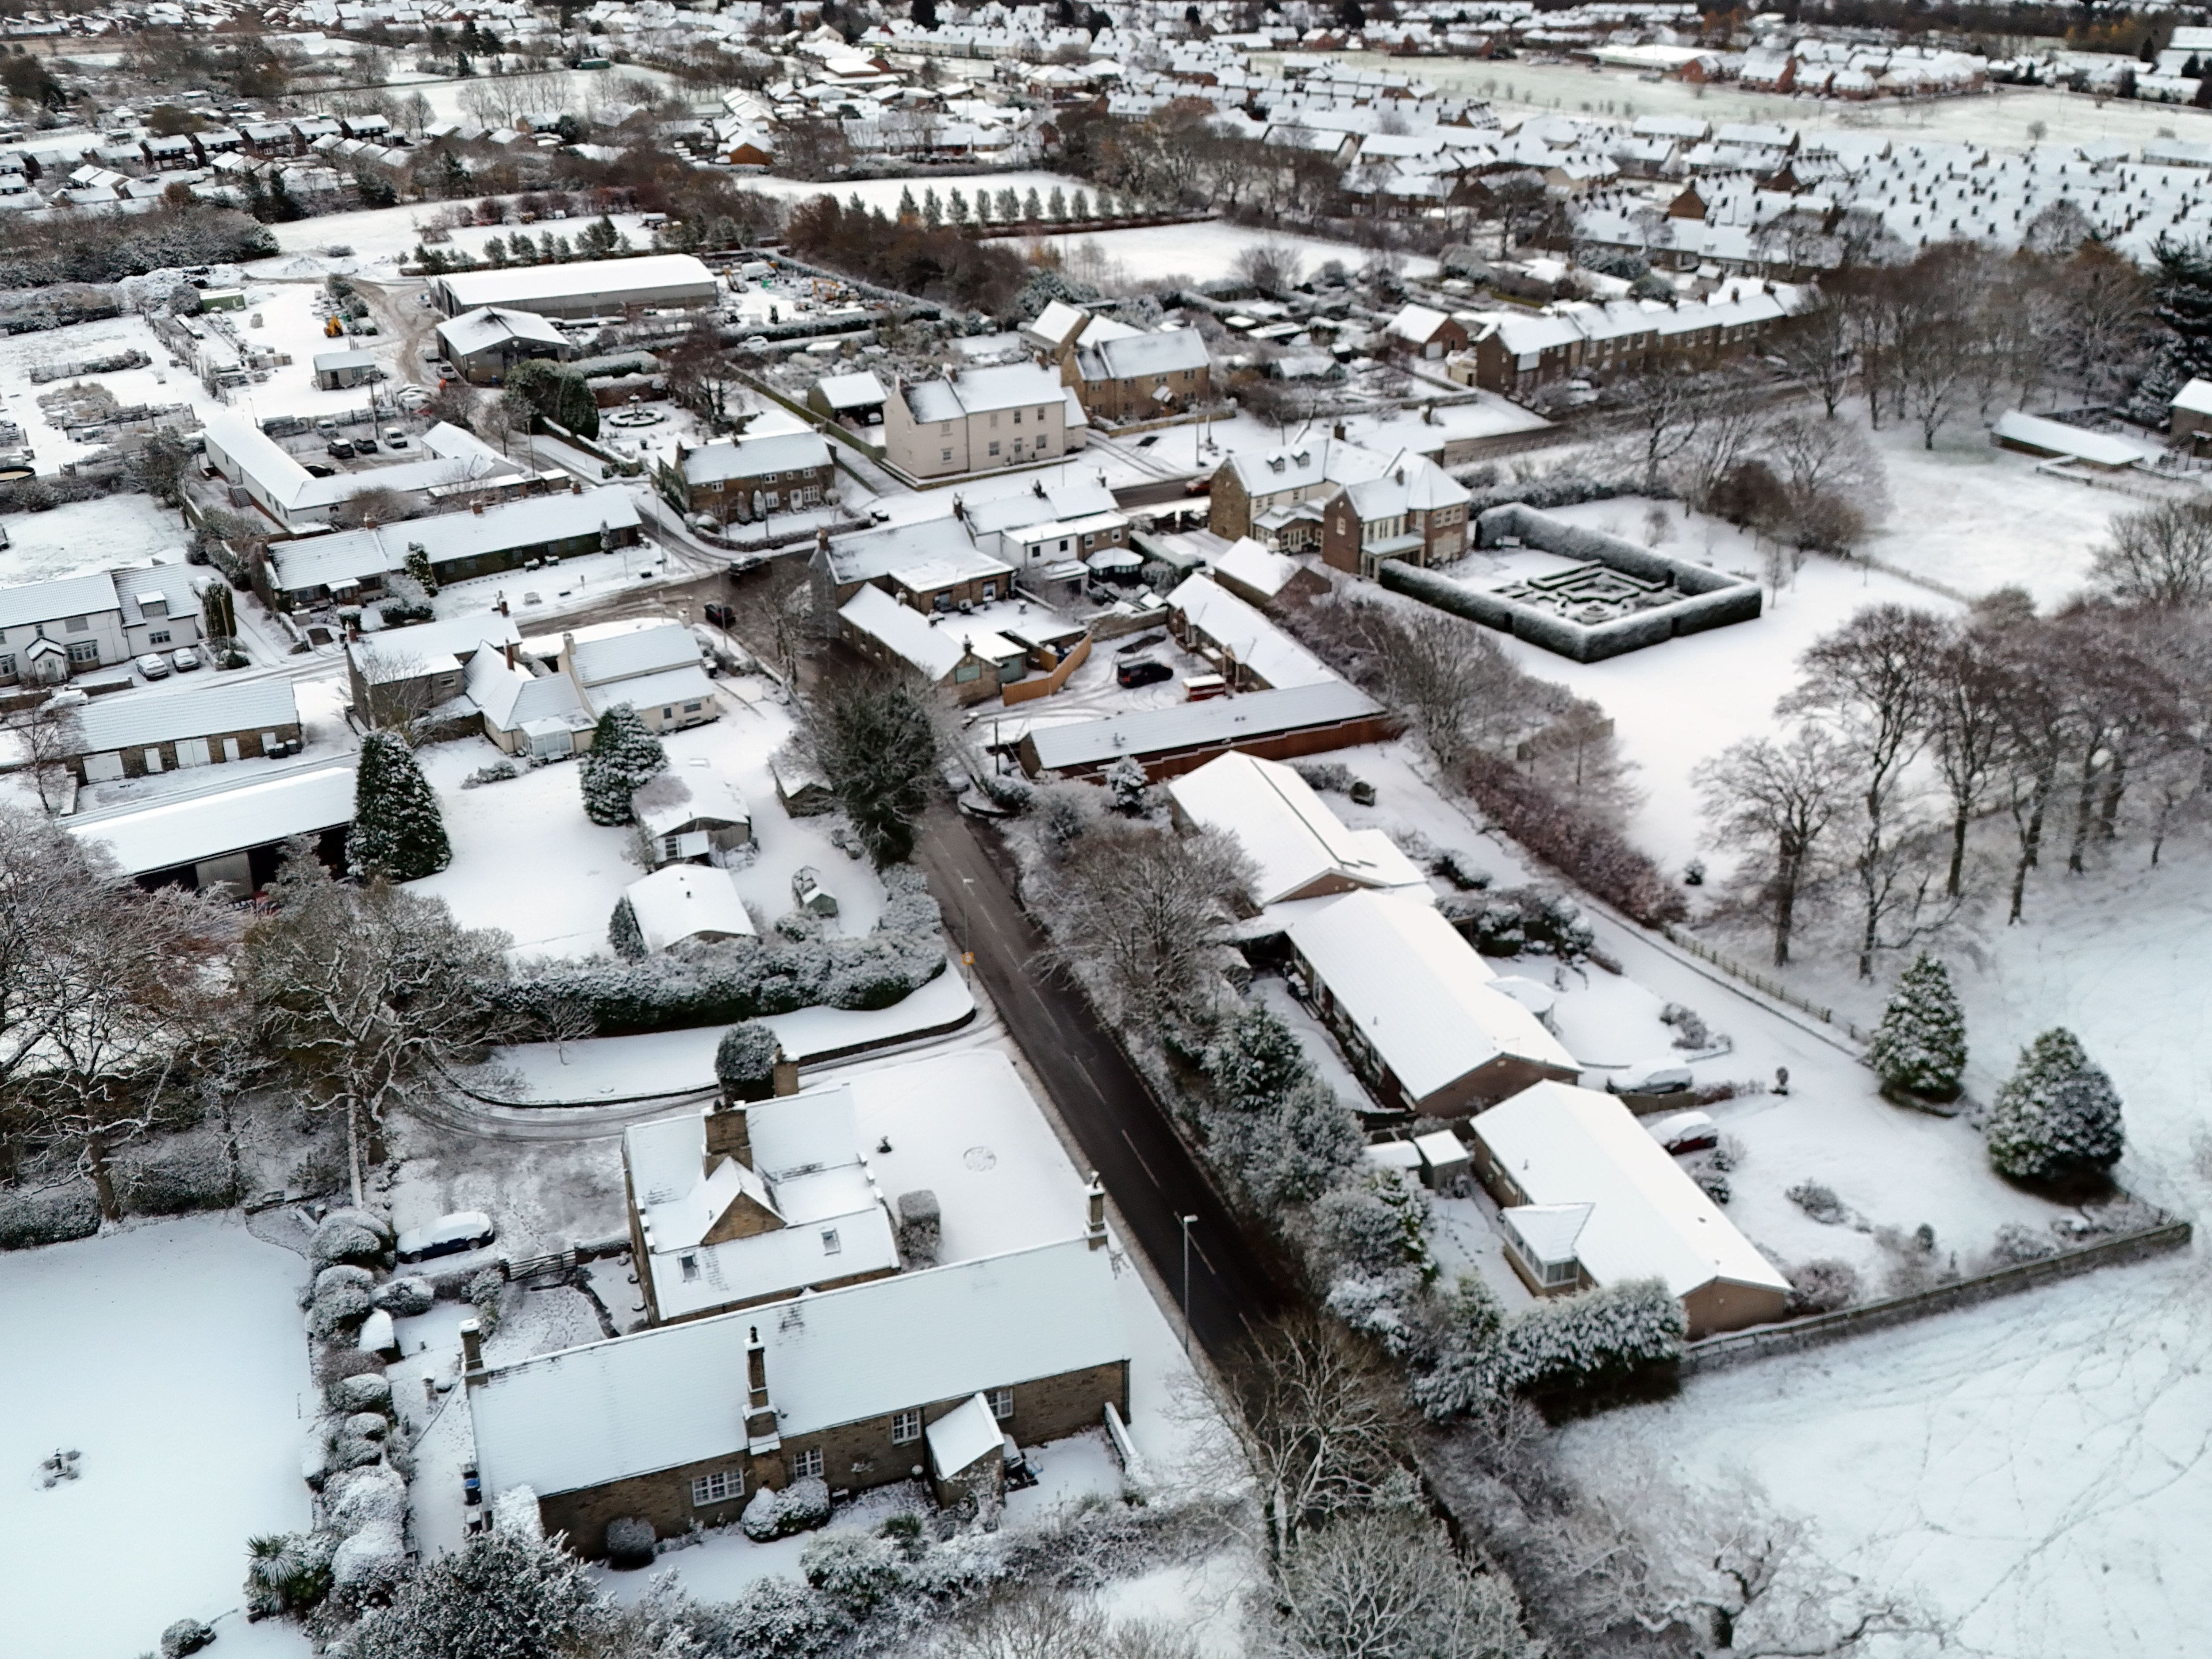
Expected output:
(1419, 992)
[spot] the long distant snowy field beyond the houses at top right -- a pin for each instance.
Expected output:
(1999, 118)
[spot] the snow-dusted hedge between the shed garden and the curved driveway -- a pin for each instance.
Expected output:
(793, 968)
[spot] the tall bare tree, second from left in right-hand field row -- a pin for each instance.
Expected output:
(1875, 682)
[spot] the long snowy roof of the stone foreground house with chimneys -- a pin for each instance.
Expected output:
(678, 1395)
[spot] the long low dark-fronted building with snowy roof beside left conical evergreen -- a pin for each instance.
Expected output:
(227, 837)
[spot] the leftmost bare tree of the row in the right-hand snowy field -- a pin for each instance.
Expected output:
(1777, 802)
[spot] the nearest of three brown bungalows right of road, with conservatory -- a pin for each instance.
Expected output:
(1587, 1200)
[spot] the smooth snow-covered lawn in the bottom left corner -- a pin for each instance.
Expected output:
(171, 1357)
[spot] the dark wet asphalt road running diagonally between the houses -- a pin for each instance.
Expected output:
(1123, 1131)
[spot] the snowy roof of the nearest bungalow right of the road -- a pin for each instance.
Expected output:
(1649, 1220)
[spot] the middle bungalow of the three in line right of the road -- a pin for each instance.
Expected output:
(1415, 1008)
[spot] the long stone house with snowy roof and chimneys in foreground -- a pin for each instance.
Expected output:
(685, 1423)
